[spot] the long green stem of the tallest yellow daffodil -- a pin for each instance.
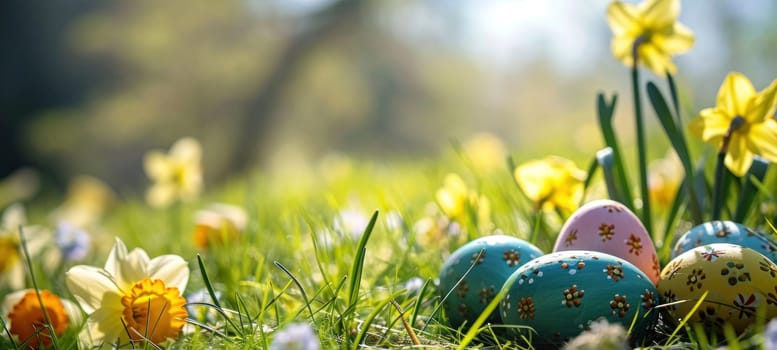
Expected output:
(641, 148)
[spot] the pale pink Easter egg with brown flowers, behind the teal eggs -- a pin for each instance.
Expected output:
(609, 227)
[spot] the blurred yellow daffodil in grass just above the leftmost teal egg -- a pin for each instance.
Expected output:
(457, 201)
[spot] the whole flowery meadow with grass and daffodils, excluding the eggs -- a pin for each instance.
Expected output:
(346, 252)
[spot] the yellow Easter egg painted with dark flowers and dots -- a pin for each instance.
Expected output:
(738, 281)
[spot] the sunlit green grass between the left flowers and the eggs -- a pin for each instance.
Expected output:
(293, 265)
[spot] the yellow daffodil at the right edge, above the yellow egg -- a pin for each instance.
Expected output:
(742, 123)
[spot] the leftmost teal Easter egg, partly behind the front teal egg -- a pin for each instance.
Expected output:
(490, 260)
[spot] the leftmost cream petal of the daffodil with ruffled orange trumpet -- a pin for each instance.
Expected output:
(91, 286)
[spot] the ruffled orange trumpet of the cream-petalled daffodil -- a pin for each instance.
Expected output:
(153, 312)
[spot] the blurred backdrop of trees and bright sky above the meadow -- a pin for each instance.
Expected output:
(89, 87)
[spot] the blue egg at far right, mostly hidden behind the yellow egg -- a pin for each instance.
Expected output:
(721, 231)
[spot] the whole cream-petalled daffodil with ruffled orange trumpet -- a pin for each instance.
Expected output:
(132, 299)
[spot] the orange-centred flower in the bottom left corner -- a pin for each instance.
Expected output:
(27, 323)
